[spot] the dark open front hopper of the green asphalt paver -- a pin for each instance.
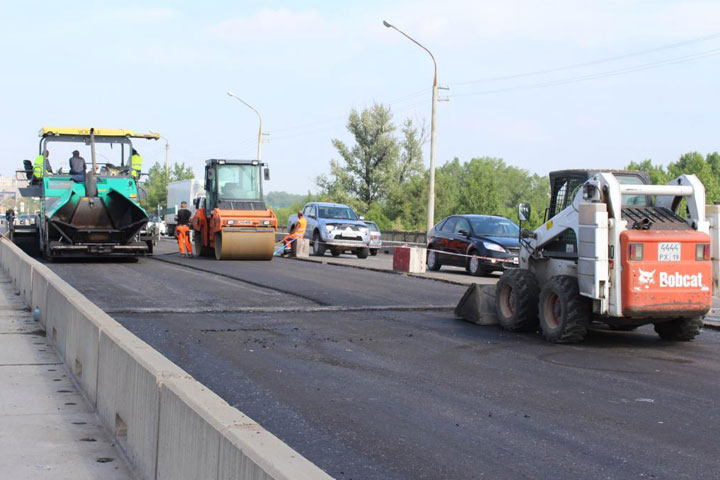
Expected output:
(111, 219)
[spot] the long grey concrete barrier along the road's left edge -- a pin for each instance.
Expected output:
(169, 425)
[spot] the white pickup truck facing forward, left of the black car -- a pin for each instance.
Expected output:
(335, 227)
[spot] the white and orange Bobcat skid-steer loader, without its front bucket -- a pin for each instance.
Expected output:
(614, 249)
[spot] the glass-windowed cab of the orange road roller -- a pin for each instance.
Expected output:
(234, 184)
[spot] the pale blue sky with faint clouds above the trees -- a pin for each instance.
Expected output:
(543, 85)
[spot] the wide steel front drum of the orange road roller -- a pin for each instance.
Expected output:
(240, 243)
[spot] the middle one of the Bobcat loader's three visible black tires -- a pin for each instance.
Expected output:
(564, 314)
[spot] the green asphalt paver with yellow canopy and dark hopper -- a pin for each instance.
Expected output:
(92, 214)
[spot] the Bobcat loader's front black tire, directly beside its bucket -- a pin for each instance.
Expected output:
(516, 301)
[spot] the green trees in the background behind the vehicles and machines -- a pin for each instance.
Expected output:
(382, 176)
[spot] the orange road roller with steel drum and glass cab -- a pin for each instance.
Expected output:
(232, 221)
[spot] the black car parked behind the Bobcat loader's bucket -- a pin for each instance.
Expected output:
(480, 243)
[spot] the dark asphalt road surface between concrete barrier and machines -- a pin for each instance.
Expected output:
(370, 376)
